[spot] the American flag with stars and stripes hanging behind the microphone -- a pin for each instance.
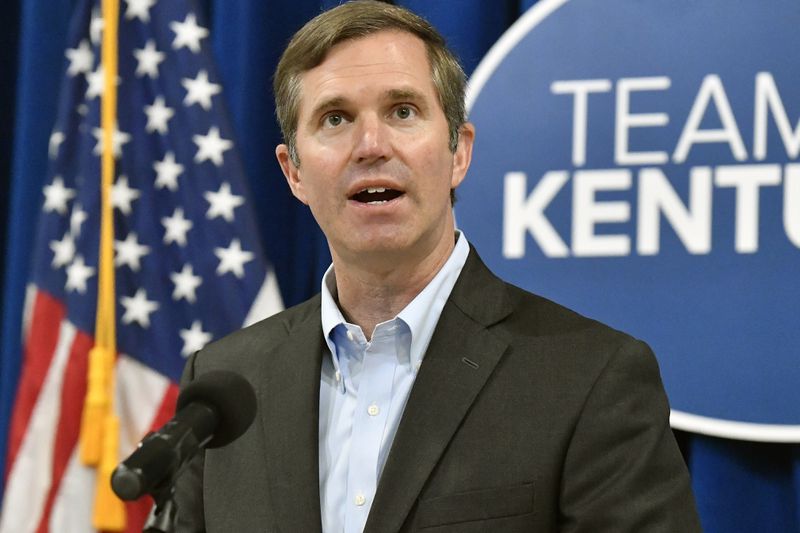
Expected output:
(188, 262)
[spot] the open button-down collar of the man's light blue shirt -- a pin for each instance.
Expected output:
(421, 314)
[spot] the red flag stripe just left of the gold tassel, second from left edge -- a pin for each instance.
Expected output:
(73, 393)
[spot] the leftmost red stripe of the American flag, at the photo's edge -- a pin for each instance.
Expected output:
(40, 346)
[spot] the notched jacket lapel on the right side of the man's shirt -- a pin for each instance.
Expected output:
(460, 358)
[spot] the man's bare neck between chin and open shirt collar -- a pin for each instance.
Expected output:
(369, 295)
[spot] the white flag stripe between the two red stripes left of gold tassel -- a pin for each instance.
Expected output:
(31, 474)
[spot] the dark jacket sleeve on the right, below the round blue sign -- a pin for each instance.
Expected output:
(623, 470)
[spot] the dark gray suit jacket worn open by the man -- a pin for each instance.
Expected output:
(524, 417)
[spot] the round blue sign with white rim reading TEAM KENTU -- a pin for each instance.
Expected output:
(637, 161)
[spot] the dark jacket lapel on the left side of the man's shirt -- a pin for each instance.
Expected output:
(290, 414)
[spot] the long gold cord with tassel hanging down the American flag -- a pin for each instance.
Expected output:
(99, 438)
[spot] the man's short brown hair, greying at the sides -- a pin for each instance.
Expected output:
(353, 20)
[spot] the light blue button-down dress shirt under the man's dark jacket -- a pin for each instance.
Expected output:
(363, 392)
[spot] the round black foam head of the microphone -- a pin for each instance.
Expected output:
(232, 398)
